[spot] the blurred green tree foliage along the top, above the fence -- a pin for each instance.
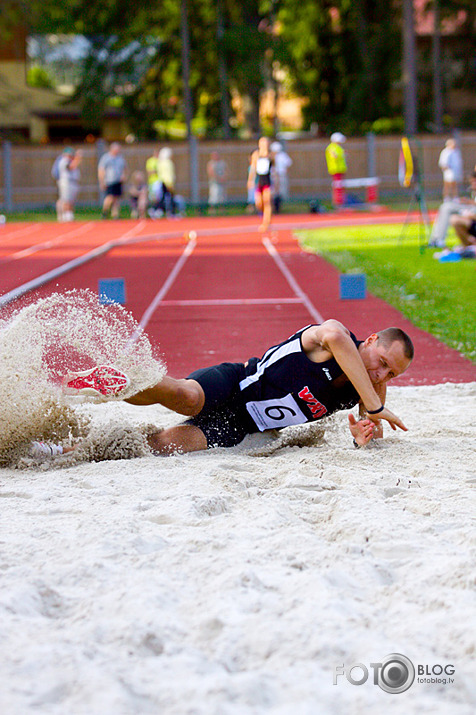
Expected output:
(343, 56)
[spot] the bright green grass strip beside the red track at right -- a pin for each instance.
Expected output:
(437, 297)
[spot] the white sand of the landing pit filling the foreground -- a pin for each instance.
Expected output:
(225, 583)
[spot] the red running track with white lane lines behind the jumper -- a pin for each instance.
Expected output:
(223, 293)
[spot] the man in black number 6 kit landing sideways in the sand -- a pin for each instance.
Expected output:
(317, 371)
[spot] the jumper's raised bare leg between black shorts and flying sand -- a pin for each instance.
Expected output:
(183, 396)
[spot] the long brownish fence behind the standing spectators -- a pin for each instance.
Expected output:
(26, 181)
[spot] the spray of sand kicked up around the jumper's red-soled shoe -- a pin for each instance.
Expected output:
(40, 343)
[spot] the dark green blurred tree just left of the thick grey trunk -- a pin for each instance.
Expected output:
(345, 58)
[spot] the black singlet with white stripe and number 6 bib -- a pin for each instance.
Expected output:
(285, 387)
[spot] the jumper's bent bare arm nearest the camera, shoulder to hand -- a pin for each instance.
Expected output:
(332, 339)
